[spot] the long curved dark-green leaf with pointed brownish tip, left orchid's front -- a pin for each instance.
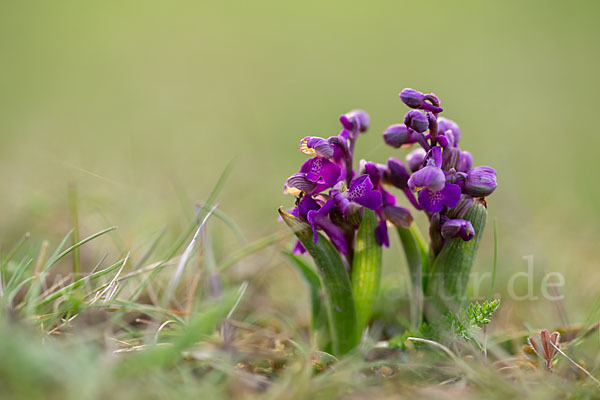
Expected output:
(336, 285)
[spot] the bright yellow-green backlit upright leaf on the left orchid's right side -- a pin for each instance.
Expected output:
(366, 268)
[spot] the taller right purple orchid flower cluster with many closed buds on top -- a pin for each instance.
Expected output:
(442, 175)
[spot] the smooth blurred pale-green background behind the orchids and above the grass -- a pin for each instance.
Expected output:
(142, 104)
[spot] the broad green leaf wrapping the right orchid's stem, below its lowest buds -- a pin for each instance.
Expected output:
(451, 268)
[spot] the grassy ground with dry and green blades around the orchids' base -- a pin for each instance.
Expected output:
(148, 324)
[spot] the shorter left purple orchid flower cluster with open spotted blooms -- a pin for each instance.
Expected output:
(331, 194)
